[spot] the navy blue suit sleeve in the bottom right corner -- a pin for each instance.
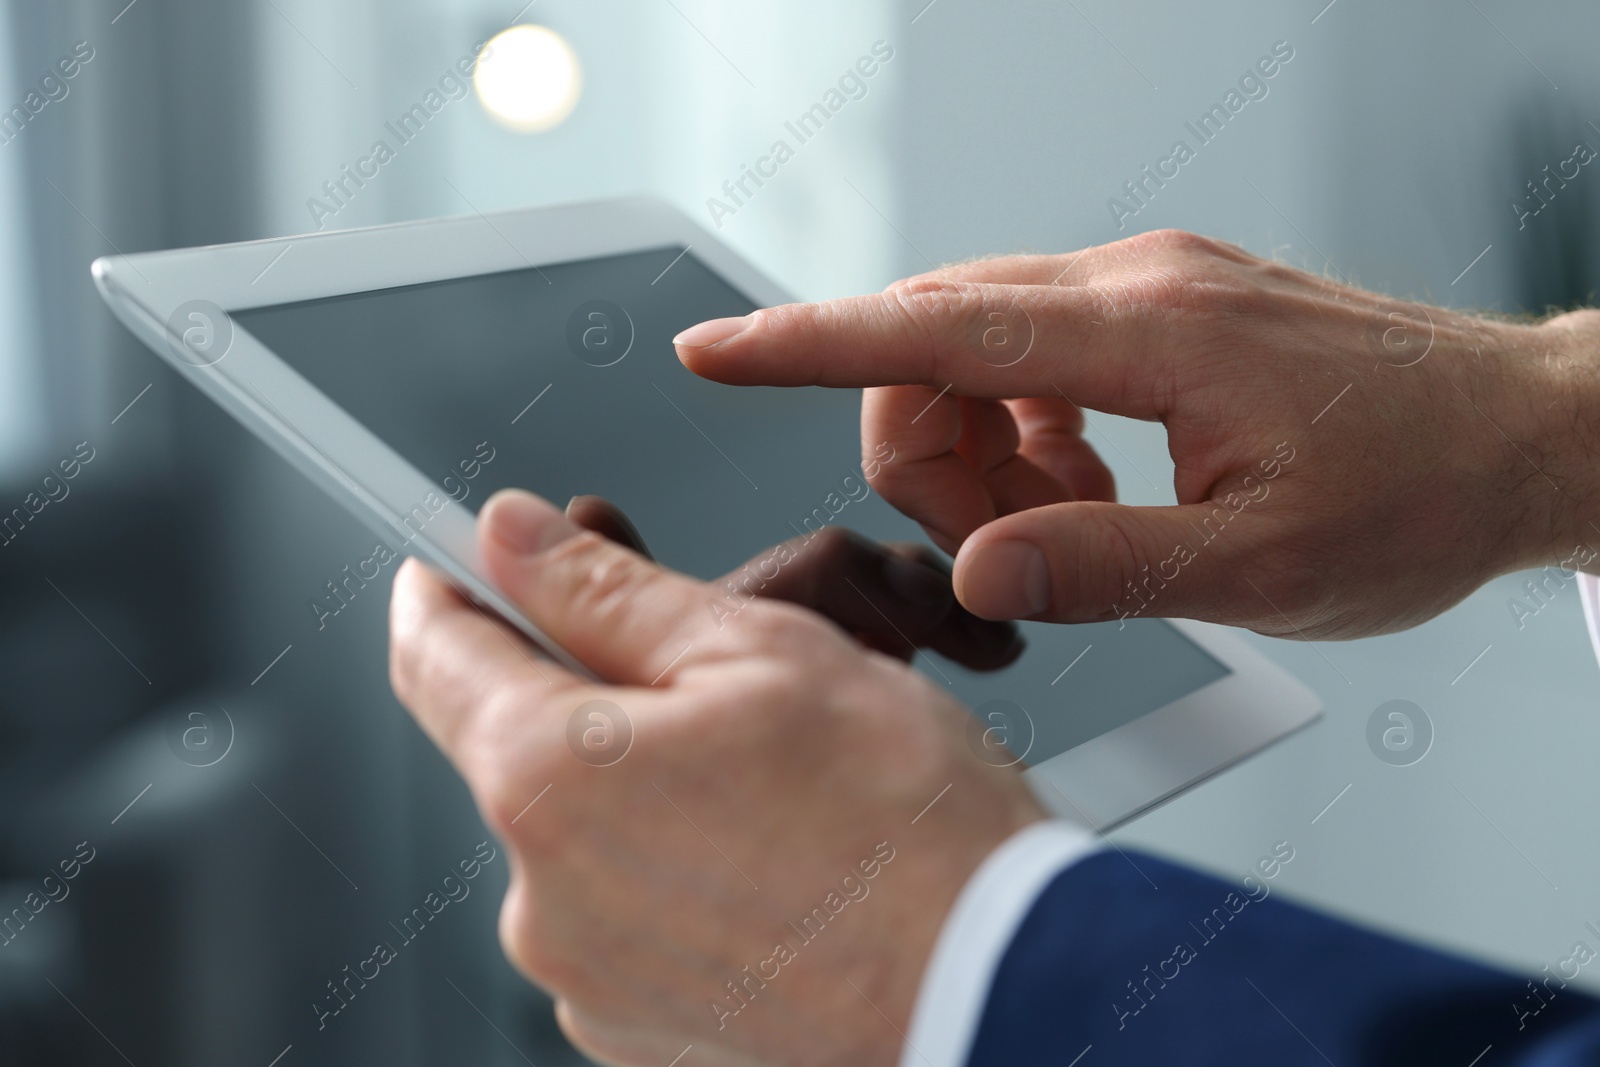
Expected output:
(1127, 959)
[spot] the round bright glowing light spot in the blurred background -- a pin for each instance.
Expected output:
(529, 79)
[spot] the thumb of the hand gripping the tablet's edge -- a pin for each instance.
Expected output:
(618, 613)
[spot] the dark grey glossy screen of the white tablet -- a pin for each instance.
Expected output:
(562, 380)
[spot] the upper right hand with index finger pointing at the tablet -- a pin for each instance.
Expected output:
(1345, 465)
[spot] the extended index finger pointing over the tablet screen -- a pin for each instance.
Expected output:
(978, 340)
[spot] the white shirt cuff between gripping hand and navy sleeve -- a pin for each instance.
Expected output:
(978, 932)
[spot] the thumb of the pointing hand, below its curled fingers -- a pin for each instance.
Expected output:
(1089, 562)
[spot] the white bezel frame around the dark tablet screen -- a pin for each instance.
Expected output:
(1098, 783)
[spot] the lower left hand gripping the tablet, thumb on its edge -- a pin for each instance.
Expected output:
(743, 874)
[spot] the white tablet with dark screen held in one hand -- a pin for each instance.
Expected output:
(412, 370)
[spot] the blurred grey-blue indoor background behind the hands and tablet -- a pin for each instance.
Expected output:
(239, 868)
